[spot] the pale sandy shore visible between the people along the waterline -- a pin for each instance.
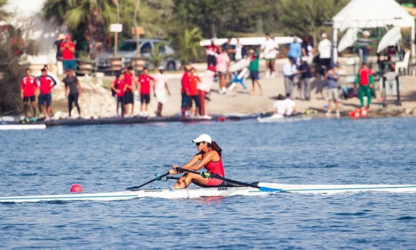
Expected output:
(97, 101)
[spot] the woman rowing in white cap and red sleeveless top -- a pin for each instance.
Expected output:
(209, 156)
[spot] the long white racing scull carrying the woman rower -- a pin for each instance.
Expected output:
(189, 193)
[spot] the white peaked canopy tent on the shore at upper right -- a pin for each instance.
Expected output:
(361, 14)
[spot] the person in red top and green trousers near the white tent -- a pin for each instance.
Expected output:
(364, 80)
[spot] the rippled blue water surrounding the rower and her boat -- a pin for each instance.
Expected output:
(111, 158)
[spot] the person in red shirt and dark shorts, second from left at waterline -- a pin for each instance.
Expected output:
(45, 84)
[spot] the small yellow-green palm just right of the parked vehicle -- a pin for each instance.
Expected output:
(188, 45)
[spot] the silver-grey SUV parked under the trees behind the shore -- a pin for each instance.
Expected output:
(128, 49)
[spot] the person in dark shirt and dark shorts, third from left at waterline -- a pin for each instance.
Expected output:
(73, 91)
